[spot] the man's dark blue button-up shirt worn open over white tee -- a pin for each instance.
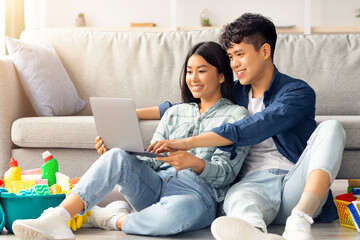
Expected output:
(288, 117)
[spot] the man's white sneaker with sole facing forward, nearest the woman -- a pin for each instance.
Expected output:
(230, 228)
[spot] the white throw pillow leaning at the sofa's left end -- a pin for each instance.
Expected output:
(44, 79)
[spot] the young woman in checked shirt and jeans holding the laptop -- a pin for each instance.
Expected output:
(170, 194)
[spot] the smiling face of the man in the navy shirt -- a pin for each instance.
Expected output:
(247, 63)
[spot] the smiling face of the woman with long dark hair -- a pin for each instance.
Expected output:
(203, 79)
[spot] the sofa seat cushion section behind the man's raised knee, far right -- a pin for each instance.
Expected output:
(351, 125)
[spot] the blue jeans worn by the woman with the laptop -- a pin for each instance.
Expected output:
(166, 202)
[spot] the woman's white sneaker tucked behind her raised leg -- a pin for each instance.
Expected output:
(100, 216)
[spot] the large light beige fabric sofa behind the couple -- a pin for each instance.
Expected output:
(145, 66)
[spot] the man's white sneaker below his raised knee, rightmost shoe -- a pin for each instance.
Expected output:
(298, 226)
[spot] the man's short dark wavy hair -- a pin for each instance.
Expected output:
(250, 28)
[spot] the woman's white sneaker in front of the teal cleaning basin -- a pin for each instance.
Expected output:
(50, 225)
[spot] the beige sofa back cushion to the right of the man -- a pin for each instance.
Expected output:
(333, 72)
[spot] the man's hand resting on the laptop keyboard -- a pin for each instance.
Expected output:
(169, 145)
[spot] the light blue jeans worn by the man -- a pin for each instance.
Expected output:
(269, 196)
